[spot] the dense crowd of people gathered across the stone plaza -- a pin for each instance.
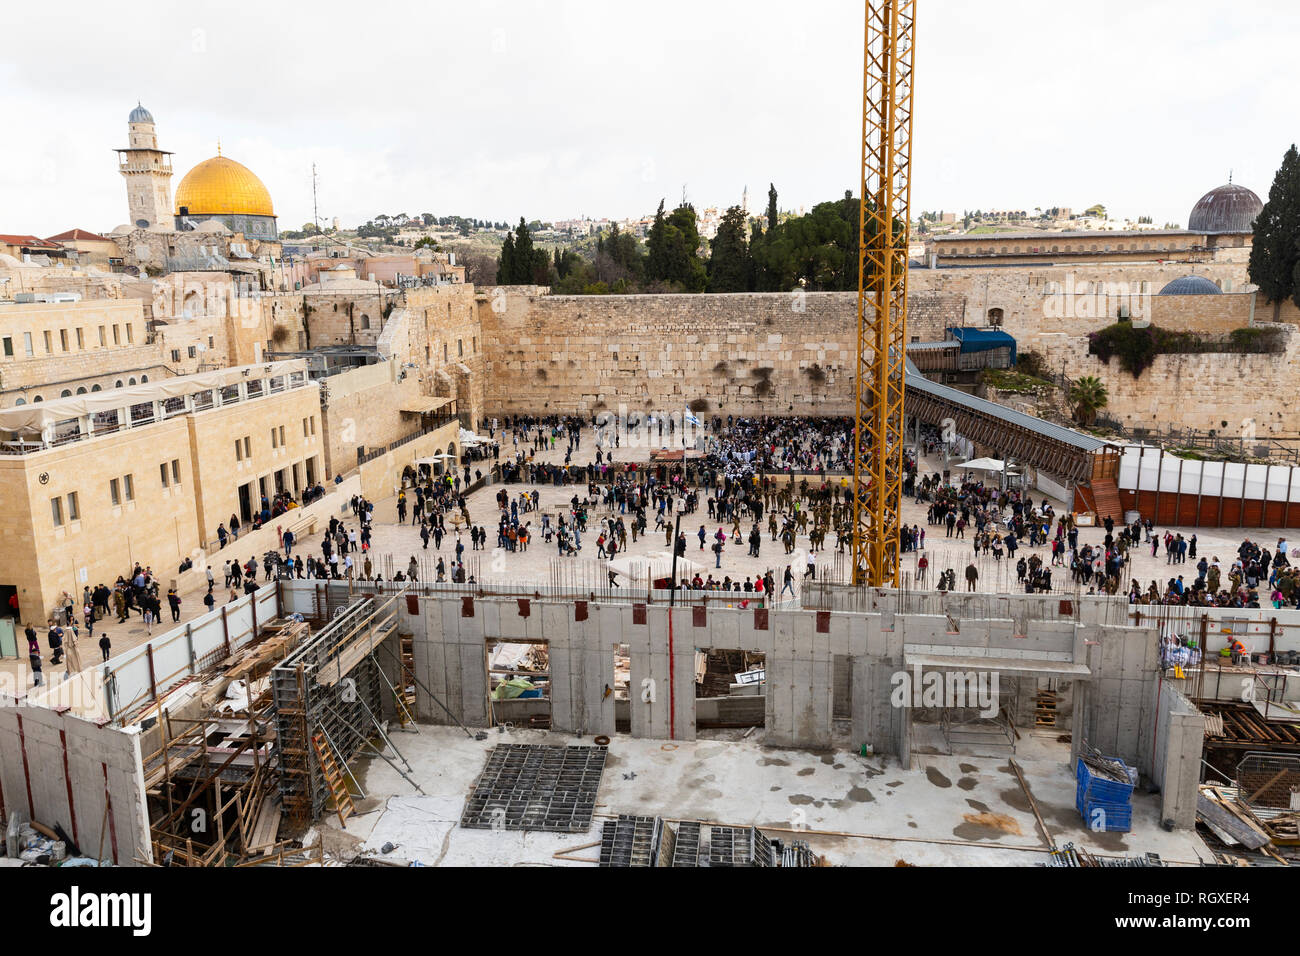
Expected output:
(752, 482)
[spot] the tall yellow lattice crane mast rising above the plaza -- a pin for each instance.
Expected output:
(885, 219)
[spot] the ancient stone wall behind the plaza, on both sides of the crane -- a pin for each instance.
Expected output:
(794, 354)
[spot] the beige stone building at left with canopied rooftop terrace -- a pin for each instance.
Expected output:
(146, 474)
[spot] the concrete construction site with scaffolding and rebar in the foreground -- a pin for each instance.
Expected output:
(318, 725)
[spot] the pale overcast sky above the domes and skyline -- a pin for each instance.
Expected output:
(553, 110)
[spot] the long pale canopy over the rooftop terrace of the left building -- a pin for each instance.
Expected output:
(36, 418)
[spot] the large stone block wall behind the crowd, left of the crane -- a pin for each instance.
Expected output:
(718, 354)
